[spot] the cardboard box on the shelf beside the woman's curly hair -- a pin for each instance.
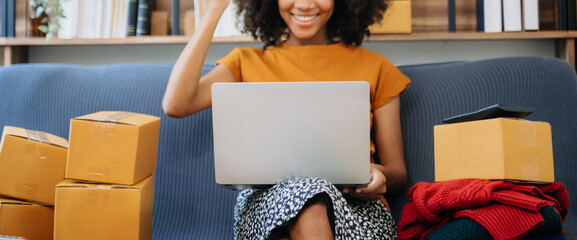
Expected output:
(397, 19)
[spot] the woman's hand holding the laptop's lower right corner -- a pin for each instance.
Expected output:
(374, 190)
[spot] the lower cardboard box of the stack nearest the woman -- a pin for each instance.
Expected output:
(103, 211)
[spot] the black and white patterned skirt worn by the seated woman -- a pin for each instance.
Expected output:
(258, 213)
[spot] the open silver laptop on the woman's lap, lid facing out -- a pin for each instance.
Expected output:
(265, 133)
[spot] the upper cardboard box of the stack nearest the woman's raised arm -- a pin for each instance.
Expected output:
(113, 147)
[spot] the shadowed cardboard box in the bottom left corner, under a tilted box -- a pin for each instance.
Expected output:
(24, 219)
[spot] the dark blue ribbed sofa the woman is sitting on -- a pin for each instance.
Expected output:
(187, 202)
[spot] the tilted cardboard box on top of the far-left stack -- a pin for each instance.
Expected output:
(32, 163)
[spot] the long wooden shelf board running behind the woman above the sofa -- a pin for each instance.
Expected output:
(379, 37)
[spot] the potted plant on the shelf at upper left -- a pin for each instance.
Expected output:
(45, 17)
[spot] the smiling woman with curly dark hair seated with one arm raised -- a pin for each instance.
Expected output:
(304, 40)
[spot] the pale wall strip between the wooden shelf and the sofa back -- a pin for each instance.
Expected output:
(399, 52)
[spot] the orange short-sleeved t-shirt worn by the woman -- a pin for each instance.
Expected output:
(335, 62)
